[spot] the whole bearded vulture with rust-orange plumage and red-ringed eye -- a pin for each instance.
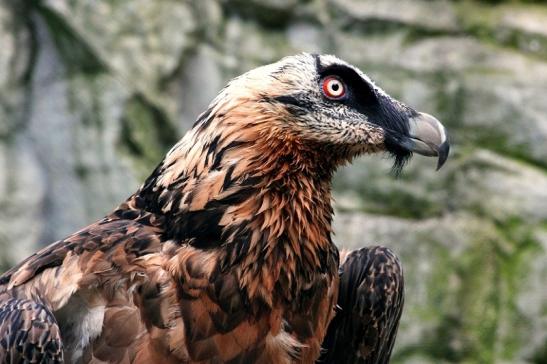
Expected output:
(224, 254)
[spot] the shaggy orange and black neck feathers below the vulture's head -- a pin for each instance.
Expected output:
(240, 182)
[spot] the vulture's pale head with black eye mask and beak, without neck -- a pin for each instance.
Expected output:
(321, 103)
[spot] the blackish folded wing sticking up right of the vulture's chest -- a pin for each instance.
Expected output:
(370, 304)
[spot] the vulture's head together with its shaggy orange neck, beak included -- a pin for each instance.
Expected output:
(256, 167)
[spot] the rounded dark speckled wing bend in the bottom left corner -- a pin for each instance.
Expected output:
(28, 333)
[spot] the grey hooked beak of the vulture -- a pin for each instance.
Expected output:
(427, 136)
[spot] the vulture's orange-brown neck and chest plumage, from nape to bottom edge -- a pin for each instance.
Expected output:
(247, 212)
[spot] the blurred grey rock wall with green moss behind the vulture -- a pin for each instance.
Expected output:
(93, 93)
